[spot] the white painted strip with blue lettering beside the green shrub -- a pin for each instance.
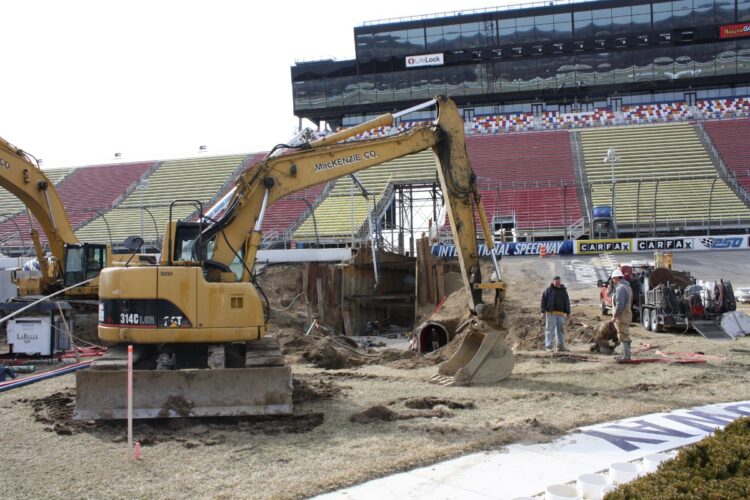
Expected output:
(527, 470)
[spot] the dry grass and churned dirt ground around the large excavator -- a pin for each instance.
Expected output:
(370, 415)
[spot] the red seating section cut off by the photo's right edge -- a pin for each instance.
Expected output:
(732, 139)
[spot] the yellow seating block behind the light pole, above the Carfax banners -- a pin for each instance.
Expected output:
(667, 158)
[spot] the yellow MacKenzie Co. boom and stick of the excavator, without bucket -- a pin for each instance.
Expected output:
(330, 158)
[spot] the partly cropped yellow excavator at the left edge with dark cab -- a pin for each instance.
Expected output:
(73, 262)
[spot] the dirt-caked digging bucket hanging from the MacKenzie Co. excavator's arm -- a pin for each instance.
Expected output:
(482, 358)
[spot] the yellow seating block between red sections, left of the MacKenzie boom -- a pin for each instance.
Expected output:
(186, 179)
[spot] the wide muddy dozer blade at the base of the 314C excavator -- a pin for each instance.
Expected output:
(102, 394)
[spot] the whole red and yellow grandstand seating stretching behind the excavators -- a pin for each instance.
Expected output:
(540, 175)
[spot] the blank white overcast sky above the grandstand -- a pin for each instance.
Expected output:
(82, 80)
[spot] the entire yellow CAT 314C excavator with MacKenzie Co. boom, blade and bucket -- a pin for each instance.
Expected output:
(197, 320)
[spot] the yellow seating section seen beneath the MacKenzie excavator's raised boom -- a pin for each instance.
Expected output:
(345, 210)
